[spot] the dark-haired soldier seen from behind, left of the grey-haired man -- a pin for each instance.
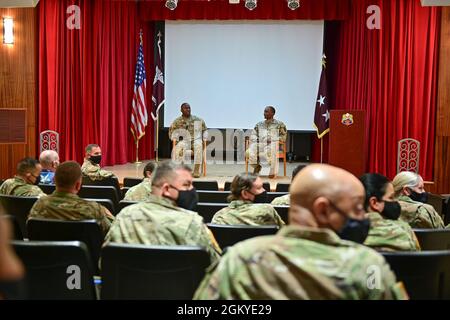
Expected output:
(65, 204)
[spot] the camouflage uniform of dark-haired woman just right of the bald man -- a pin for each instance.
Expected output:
(390, 235)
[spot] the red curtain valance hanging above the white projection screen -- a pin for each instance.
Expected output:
(152, 10)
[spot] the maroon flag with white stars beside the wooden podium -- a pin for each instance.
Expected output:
(322, 112)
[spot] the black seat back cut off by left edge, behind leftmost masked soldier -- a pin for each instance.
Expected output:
(19, 208)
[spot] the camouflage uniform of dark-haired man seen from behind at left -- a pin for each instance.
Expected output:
(70, 207)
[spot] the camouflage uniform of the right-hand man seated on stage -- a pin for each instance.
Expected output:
(263, 141)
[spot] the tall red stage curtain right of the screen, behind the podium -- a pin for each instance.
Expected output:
(392, 73)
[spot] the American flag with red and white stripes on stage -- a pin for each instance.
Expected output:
(139, 109)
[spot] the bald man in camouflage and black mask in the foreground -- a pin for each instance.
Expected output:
(309, 258)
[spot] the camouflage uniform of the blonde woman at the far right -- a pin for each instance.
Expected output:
(418, 214)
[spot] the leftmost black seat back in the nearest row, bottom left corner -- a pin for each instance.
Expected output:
(56, 270)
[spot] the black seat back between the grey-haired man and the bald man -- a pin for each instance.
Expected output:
(227, 235)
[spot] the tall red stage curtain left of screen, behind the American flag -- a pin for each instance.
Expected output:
(86, 77)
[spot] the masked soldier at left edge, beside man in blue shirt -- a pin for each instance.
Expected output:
(24, 184)
